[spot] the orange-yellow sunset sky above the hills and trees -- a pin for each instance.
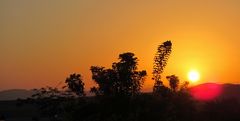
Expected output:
(42, 41)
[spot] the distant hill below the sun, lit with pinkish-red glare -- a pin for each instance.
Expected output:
(207, 91)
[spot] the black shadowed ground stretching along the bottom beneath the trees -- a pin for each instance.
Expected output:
(144, 107)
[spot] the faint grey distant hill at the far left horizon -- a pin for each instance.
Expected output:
(14, 94)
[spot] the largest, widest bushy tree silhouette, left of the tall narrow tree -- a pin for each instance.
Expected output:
(122, 79)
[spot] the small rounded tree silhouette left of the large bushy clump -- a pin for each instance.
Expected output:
(75, 84)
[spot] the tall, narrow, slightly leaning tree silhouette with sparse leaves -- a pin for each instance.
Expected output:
(160, 61)
